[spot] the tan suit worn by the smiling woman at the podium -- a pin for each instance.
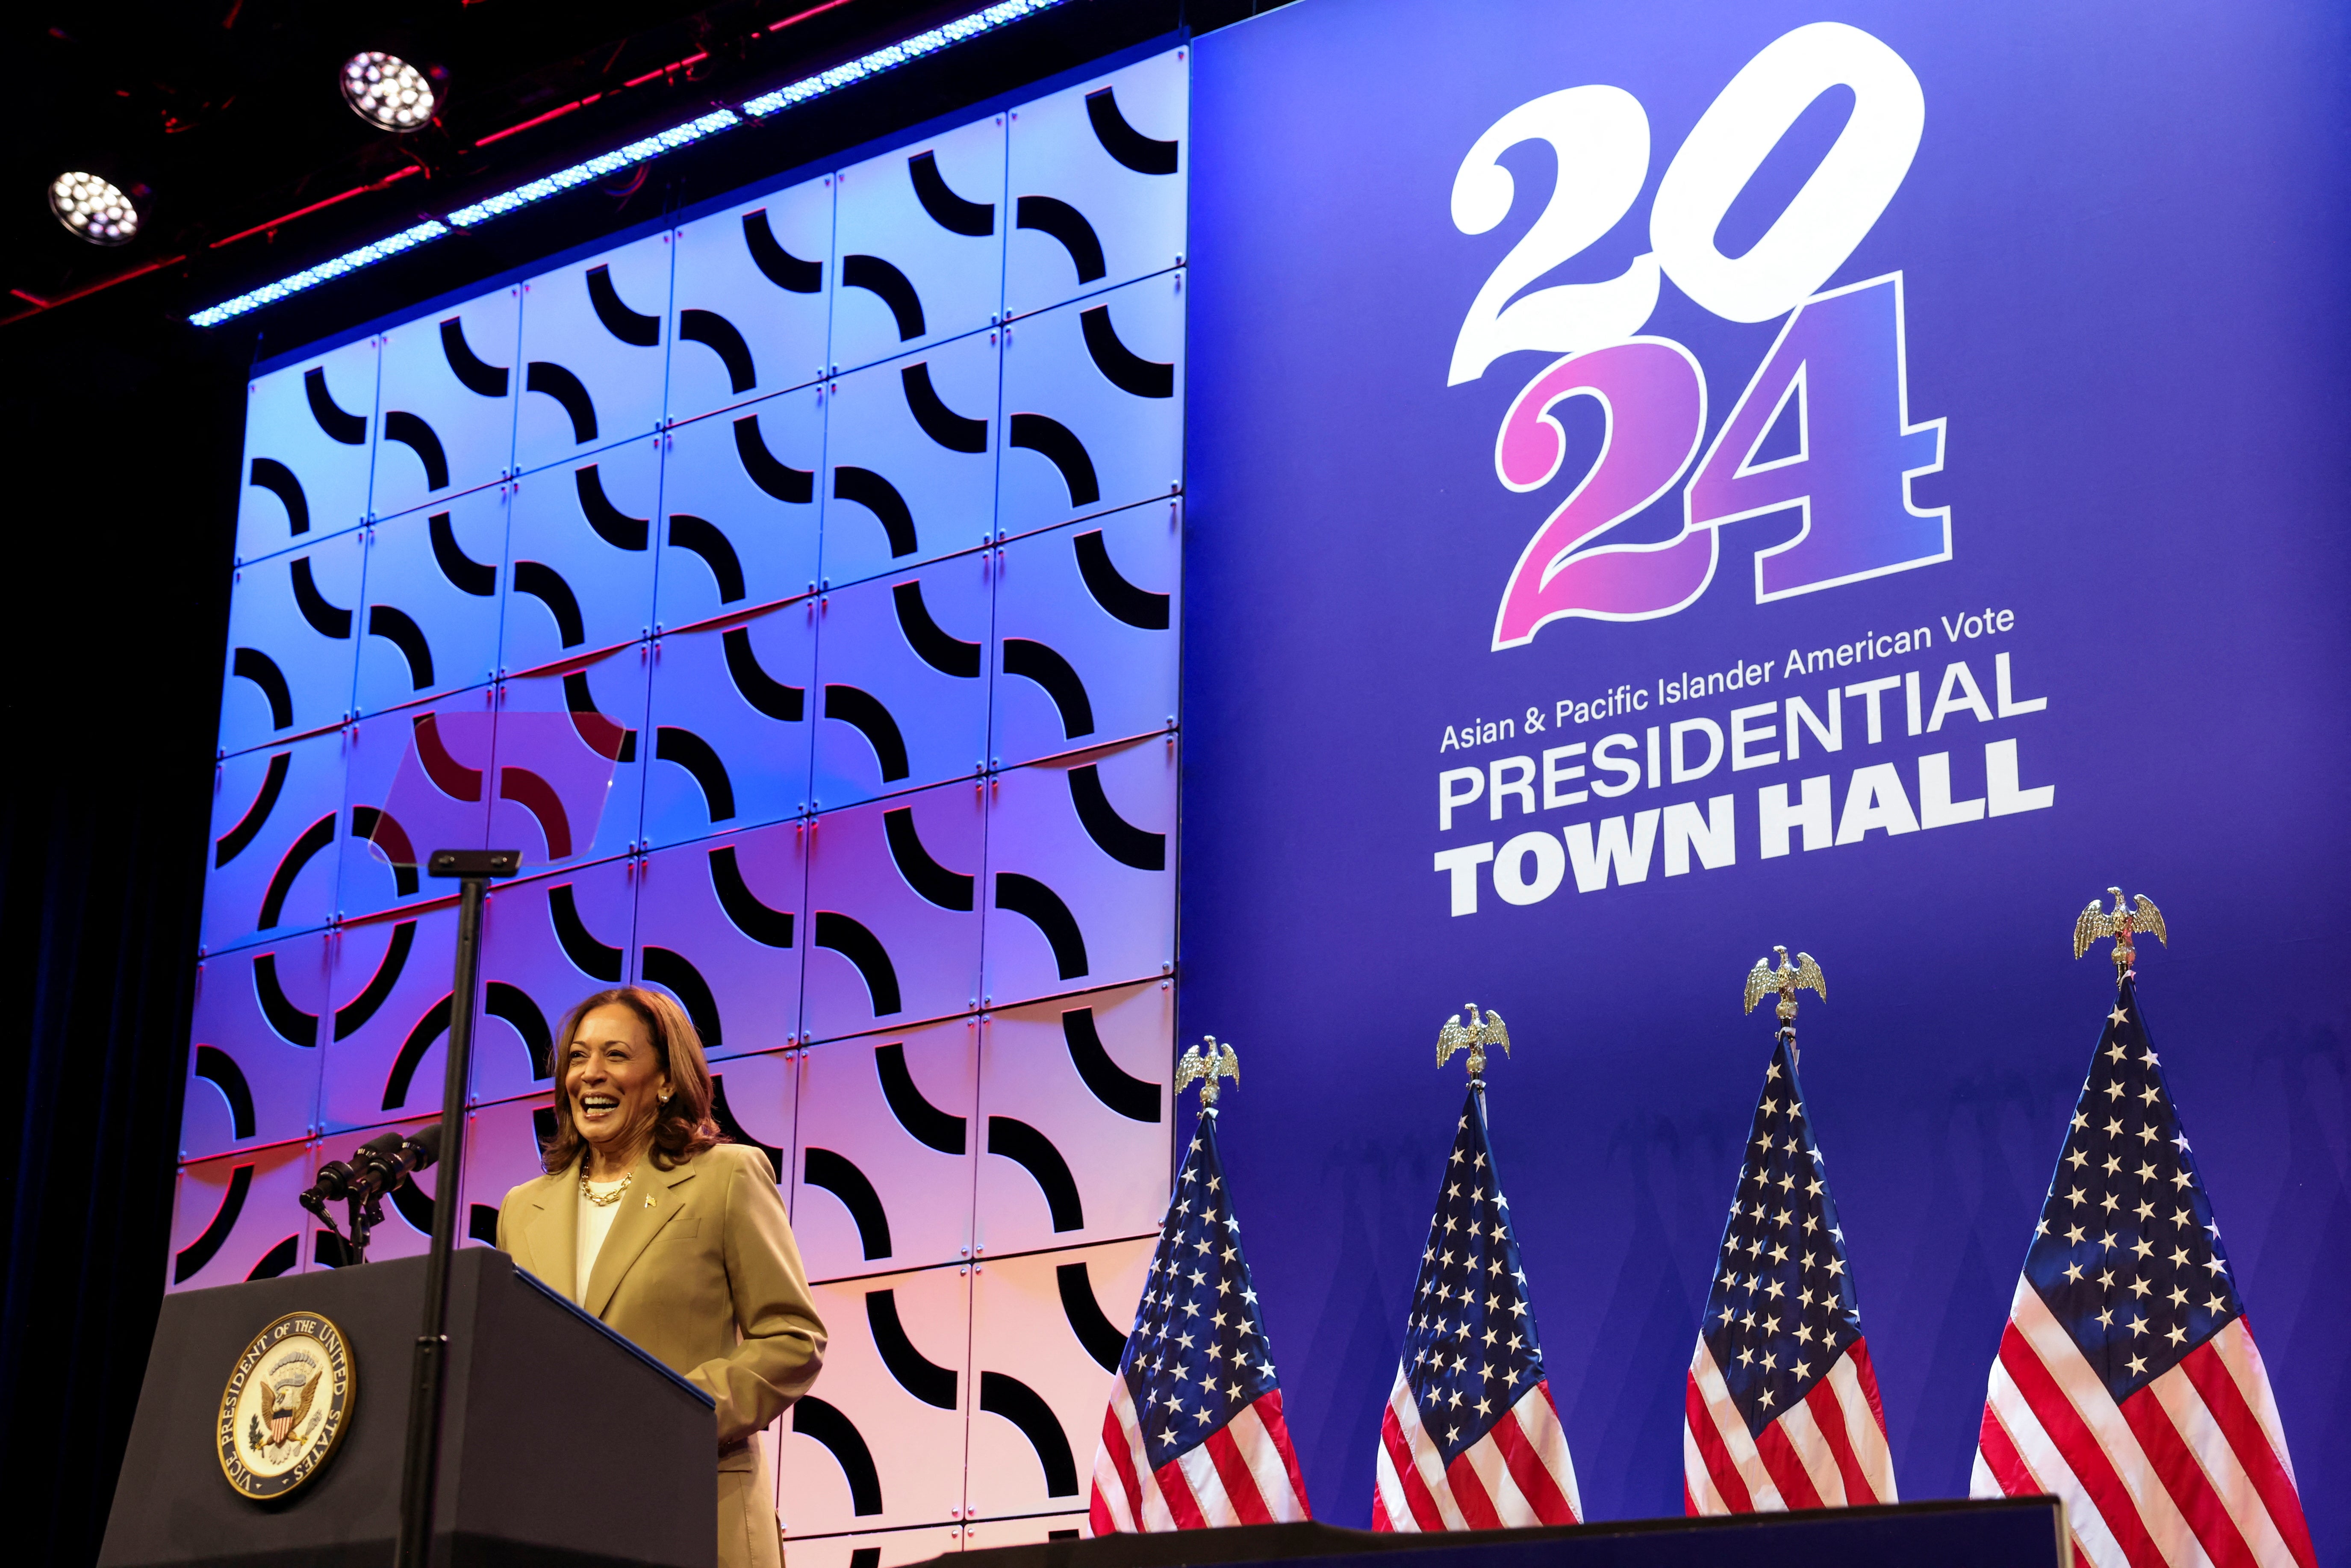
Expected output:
(699, 1271)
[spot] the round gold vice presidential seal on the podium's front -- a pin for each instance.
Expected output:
(286, 1407)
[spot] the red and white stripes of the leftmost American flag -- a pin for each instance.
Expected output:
(1243, 1473)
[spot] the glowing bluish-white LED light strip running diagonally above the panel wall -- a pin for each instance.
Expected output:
(634, 154)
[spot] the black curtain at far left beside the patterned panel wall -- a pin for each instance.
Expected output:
(119, 478)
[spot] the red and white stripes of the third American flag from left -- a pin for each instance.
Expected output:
(1826, 1452)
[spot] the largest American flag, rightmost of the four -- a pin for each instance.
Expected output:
(2129, 1381)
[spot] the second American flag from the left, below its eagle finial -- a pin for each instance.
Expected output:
(1473, 1440)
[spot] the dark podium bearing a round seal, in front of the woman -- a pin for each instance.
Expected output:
(563, 1445)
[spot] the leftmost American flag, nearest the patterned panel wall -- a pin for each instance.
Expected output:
(1195, 1435)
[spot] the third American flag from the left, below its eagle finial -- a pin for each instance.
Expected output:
(1781, 1409)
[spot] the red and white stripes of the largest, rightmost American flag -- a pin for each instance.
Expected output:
(2190, 1470)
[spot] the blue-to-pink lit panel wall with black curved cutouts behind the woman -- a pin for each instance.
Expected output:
(798, 587)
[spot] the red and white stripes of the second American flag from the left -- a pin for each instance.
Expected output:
(1518, 1475)
